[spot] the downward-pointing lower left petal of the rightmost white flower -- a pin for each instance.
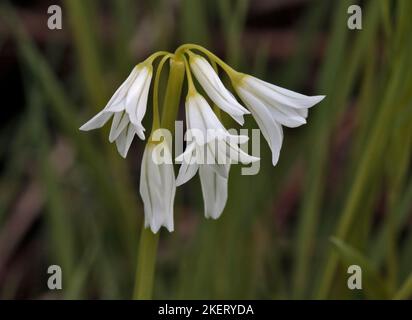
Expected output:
(271, 130)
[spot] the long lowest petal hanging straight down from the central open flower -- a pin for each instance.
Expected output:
(214, 189)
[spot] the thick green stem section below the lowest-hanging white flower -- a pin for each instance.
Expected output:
(146, 264)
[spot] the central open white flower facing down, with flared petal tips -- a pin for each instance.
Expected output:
(211, 151)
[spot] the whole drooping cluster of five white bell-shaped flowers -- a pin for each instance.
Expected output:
(271, 106)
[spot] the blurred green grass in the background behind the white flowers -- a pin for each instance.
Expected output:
(351, 188)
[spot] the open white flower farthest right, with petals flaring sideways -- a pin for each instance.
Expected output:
(273, 106)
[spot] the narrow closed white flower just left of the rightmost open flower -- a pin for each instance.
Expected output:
(215, 89)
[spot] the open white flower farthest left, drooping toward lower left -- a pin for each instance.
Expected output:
(128, 107)
